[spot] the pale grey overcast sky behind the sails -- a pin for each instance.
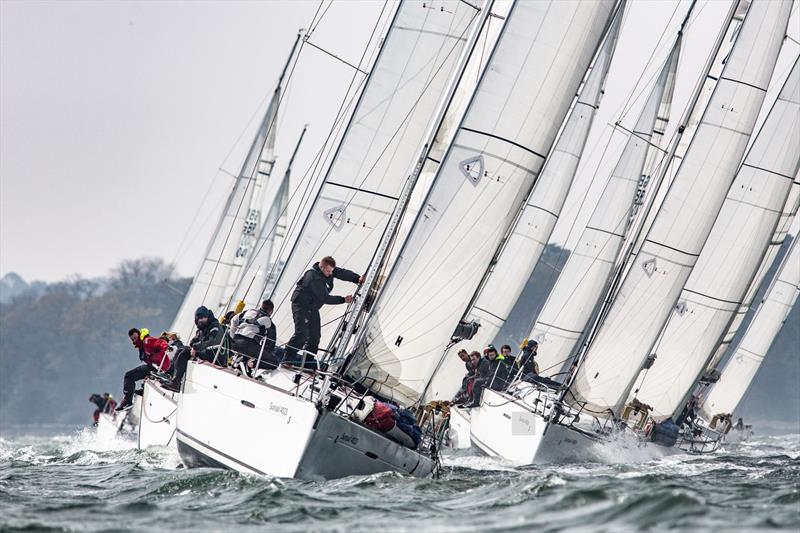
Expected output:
(117, 115)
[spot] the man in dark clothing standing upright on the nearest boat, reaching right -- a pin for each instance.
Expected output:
(311, 293)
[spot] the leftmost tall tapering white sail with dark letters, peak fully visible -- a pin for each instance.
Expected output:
(231, 241)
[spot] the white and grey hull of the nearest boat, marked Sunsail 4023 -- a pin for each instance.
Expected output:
(231, 421)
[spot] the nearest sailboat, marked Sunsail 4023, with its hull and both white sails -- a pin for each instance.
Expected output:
(295, 423)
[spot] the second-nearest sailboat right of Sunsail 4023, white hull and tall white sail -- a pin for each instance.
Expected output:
(590, 409)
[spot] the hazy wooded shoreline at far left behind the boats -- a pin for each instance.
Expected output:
(62, 341)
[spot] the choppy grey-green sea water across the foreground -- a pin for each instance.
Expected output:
(72, 482)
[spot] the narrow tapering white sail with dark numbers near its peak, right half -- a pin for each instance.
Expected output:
(567, 311)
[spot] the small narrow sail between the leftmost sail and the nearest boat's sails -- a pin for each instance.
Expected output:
(261, 267)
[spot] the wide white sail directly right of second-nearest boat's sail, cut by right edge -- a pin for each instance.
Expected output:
(730, 257)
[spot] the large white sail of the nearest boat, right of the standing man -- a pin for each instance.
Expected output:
(499, 148)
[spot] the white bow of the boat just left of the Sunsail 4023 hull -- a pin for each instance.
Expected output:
(158, 416)
